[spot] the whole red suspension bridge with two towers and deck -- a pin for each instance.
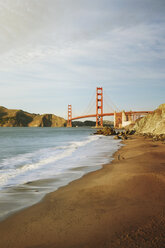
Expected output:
(121, 119)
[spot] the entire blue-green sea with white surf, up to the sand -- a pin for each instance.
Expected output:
(35, 161)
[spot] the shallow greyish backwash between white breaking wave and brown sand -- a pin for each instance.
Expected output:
(13, 199)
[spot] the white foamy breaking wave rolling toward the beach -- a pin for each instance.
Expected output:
(18, 166)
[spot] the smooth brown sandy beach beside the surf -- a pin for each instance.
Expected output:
(121, 205)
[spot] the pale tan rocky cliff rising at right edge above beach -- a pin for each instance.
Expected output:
(153, 123)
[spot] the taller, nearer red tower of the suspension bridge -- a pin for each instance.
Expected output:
(99, 106)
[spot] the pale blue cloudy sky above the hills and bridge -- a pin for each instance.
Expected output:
(56, 52)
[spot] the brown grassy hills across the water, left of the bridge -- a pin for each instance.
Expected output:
(20, 118)
